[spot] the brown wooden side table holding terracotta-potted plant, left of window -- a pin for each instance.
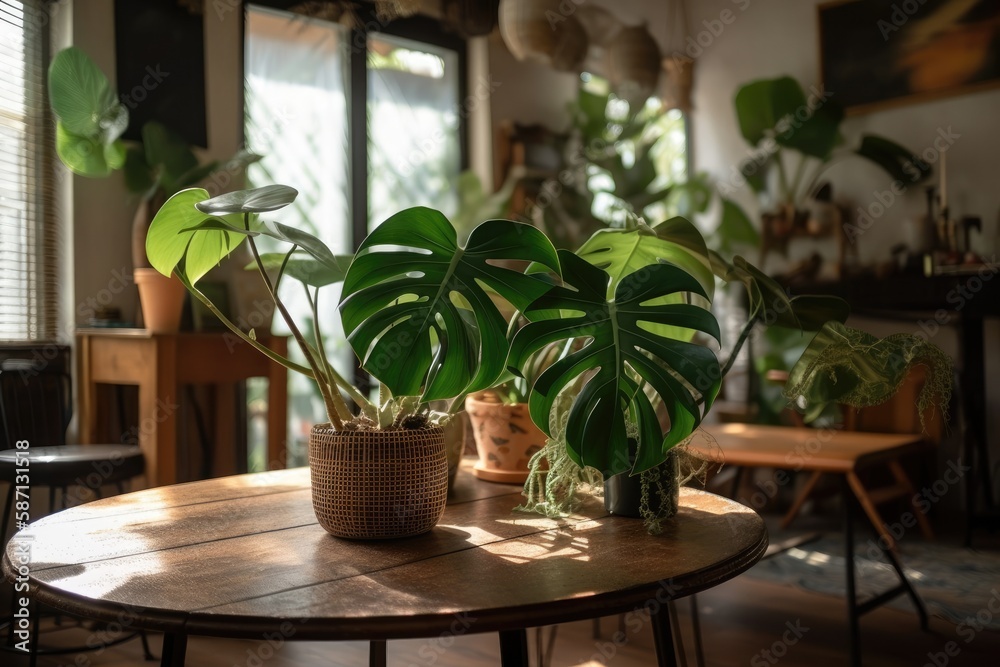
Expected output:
(160, 364)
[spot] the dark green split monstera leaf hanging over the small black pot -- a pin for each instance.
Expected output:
(621, 362)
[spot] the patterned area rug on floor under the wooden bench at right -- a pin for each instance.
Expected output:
(955, 584)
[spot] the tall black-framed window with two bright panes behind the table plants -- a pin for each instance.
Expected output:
(362, 125)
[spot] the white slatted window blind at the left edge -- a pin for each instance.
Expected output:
(29, 237)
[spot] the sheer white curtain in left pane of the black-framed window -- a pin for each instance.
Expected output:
(297, 118)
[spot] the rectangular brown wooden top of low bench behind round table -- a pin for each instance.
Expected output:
(826, 450)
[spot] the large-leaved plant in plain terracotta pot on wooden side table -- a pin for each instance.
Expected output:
(90, 120)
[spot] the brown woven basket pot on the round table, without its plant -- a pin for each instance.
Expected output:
(378, 485)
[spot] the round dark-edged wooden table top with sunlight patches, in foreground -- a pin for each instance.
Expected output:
(238, 556)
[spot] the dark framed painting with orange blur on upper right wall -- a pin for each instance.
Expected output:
(880, 53)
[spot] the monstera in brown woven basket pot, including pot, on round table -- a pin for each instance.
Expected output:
(418, 315)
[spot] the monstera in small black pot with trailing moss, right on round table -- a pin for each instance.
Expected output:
(646, 374)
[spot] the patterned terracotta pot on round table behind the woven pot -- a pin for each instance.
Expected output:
(506, 439)
